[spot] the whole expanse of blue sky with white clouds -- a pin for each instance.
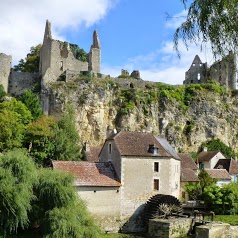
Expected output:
(134, 34)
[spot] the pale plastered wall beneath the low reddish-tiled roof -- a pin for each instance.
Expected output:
(104, 204)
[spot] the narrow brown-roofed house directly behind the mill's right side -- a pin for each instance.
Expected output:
(189, 172)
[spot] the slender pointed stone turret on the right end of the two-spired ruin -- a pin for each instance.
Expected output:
(94, 59)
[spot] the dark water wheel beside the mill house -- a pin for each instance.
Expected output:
(162, 206)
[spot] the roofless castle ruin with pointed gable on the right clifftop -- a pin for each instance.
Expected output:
(224, 72)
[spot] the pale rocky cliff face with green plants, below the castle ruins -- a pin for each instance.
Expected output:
(186, 116)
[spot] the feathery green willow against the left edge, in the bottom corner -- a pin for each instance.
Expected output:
(17, 175)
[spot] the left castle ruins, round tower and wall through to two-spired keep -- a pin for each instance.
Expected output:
(56, 58)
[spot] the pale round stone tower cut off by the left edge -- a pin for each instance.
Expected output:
(5, 68)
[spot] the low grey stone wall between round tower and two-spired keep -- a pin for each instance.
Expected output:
(21, 81)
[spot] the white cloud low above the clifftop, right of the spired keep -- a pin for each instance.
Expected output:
(163, 65)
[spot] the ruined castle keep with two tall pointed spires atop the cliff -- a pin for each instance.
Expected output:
(57, 59)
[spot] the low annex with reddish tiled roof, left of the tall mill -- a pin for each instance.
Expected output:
(98, 185)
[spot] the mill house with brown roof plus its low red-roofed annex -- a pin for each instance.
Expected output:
(132, 167)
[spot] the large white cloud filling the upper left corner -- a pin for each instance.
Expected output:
(22, 22)
